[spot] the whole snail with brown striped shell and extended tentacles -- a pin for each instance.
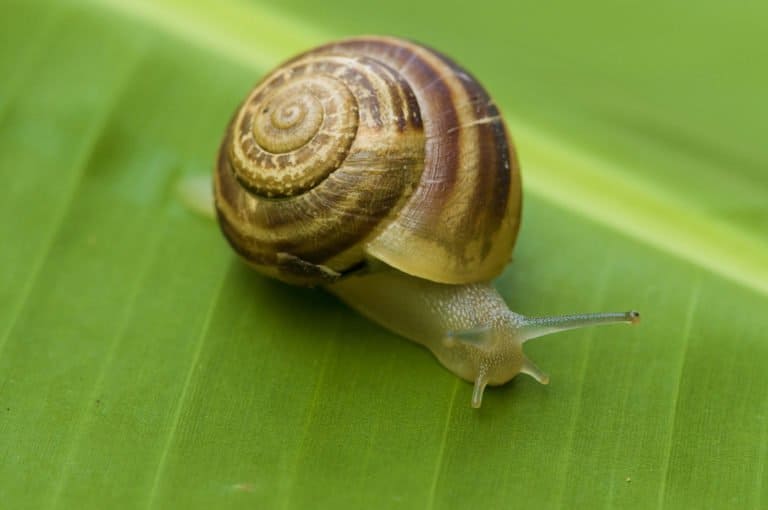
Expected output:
(381, 170)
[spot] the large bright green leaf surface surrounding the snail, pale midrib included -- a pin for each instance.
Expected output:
(143, 365)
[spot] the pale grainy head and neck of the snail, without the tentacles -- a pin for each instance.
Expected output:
(467, 327)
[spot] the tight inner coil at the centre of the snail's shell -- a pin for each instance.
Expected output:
(292, 133)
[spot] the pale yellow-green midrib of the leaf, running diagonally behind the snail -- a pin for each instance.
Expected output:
(633, 207)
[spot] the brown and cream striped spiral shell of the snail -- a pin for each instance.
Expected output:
(370, 147)
